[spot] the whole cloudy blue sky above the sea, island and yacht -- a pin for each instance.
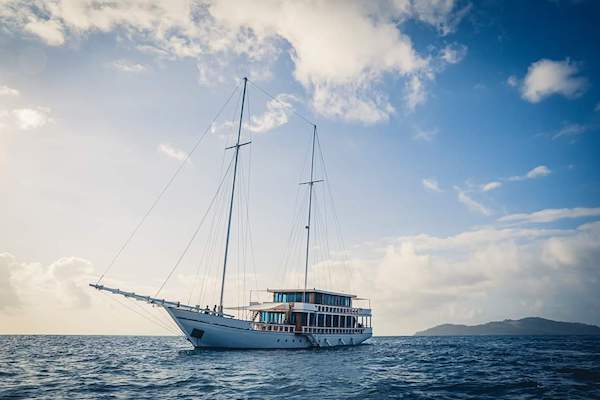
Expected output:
(460, 139)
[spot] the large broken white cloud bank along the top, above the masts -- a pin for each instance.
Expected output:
(342, 52)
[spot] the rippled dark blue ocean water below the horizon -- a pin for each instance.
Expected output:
(106, 367)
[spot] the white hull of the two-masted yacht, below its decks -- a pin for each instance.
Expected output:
(213, 331)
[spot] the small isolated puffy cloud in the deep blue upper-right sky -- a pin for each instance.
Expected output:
(546, 77)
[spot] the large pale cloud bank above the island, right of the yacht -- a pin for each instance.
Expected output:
(479, 275)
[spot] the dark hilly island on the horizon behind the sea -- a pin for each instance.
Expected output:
(525, 326)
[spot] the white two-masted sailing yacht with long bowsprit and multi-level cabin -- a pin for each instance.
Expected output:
(292, 318)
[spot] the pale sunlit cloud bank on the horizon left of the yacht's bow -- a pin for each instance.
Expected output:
(56, 299)
